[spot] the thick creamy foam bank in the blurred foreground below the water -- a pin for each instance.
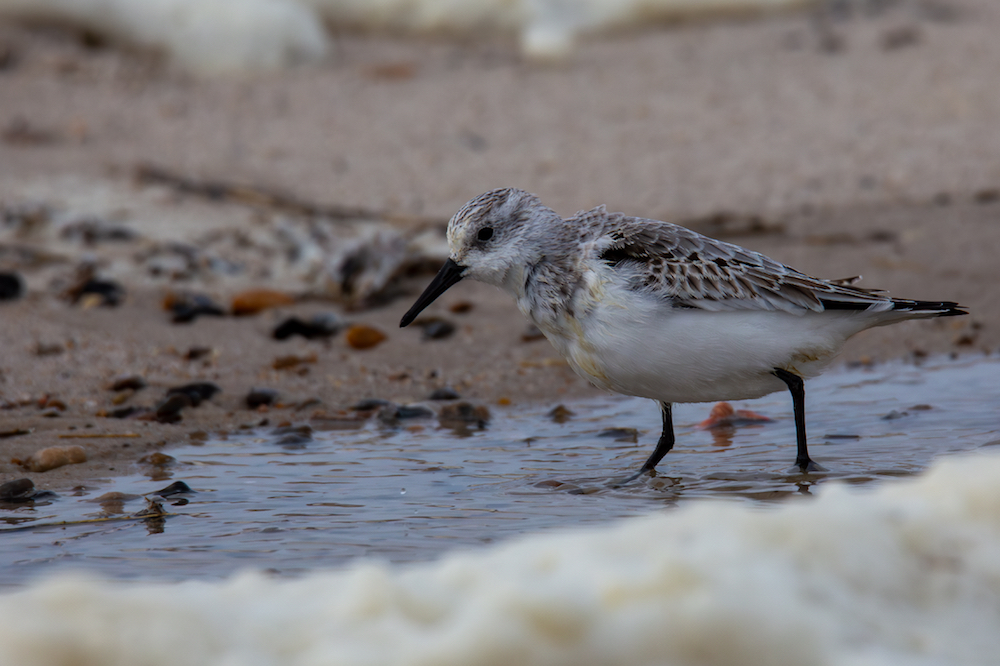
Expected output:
(908, 574)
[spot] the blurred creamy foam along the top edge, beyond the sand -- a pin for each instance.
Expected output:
(246, 35)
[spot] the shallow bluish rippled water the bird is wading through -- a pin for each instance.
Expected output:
(410, 493)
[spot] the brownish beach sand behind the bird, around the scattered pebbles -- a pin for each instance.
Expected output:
(878, 157)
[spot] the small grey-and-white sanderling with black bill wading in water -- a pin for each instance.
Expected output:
(653, 309)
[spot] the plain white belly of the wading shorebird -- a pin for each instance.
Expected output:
(634, 345)
